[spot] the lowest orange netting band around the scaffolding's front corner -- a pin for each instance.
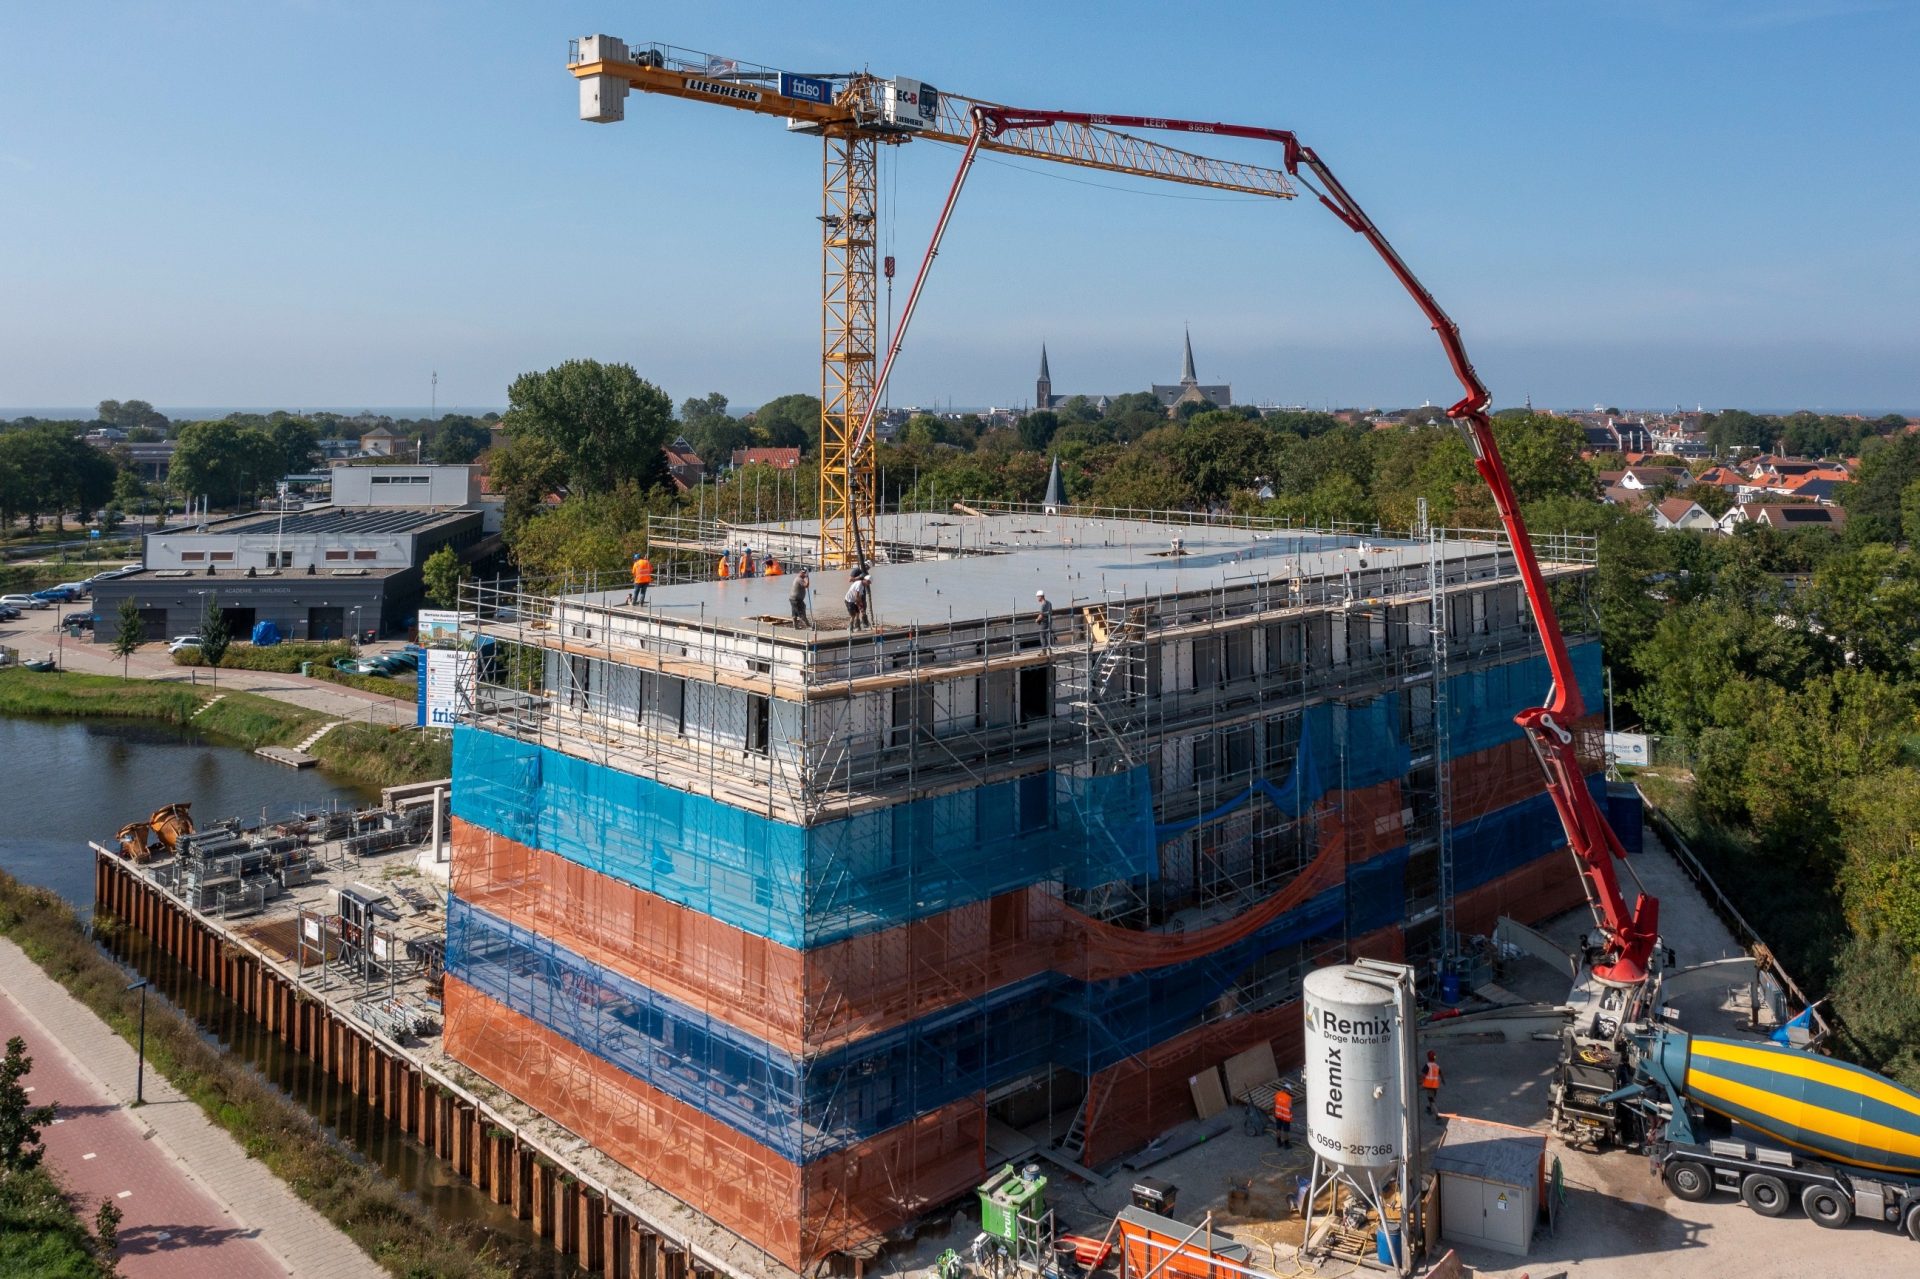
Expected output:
(798, 1215)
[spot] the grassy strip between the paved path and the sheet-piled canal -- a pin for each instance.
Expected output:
(370, 1207)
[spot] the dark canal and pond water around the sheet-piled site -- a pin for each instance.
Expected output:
(78, 781)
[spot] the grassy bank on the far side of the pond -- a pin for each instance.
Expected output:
(356, 752)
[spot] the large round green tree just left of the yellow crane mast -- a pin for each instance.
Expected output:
(602, 425)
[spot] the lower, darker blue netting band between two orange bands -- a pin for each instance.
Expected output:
(811, 1107)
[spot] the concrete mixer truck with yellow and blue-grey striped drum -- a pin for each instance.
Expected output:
(1779, 1126)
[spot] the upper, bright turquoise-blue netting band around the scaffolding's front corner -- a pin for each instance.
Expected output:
(809, 886)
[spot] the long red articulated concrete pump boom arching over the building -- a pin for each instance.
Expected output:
(1631, 934)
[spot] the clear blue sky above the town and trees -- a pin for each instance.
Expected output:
(1646, 203)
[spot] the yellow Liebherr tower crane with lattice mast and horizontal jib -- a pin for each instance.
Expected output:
(855, 114)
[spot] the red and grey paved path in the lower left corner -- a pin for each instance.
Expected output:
(195, 1205)
